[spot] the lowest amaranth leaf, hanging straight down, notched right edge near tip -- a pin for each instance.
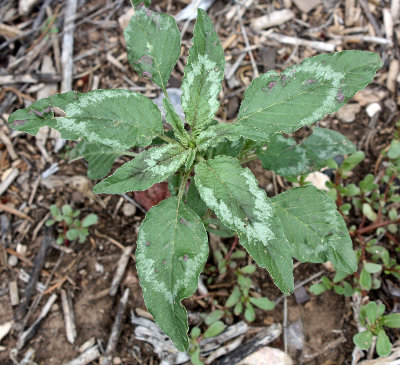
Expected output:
(172, 251)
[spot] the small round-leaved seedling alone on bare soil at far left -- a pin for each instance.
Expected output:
(70, 228)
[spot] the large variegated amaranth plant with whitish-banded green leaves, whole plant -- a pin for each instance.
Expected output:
(172, 245)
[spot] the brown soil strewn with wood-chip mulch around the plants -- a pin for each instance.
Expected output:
(30, 55)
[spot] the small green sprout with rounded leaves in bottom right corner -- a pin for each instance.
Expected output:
(373, 319)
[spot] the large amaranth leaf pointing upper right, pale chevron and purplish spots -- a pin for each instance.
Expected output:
(303, 94)
